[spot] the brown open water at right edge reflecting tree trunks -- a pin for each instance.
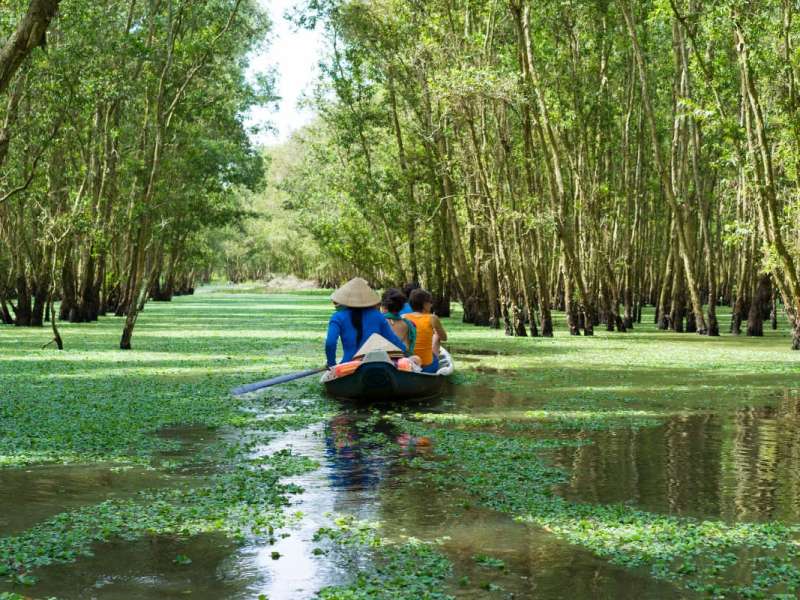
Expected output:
(743, 465)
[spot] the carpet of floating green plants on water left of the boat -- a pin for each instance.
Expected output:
(92, 403)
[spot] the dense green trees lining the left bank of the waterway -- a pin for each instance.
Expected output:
(125, 148)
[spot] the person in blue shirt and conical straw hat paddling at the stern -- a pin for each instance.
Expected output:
(355, 320)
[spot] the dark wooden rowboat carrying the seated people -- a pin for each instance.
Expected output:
(377, 379)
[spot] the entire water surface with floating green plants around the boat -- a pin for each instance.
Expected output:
(565, 468)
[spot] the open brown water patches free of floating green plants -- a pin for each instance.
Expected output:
(743, 464)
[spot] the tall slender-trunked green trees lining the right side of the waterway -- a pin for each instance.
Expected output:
(594, 156)
